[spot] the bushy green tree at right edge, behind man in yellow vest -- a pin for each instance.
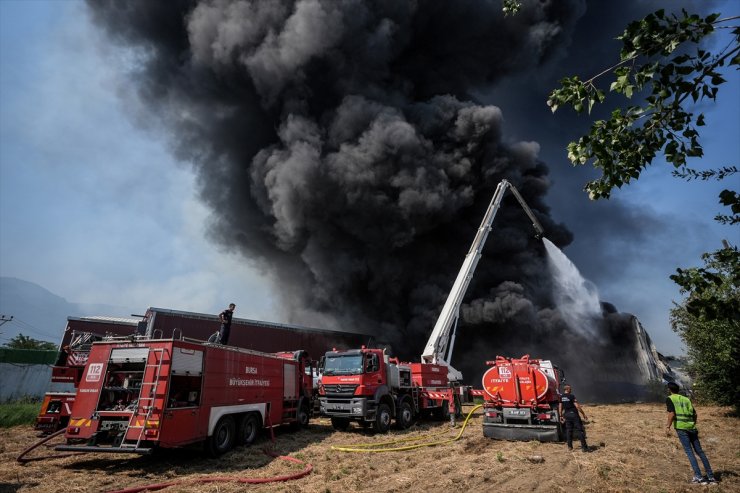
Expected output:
(708, 321)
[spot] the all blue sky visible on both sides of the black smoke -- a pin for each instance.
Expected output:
(94, 208)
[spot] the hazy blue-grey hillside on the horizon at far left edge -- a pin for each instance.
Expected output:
(39, 313)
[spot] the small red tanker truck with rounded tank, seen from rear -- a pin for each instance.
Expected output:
(521, 399)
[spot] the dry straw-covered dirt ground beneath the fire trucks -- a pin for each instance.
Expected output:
(632, 453)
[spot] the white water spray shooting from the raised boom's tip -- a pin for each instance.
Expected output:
(576, 298)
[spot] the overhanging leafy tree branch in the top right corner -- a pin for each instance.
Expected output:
(652, 64)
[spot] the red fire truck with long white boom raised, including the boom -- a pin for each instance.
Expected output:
(368, 386)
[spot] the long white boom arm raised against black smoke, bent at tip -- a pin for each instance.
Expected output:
(442, 340)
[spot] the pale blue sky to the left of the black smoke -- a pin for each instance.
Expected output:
(93, 208)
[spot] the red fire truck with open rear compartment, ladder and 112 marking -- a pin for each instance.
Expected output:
(137, 394)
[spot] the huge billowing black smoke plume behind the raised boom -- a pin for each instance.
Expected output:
(340, 149)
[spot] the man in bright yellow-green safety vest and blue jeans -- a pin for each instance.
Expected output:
(682, 416)
